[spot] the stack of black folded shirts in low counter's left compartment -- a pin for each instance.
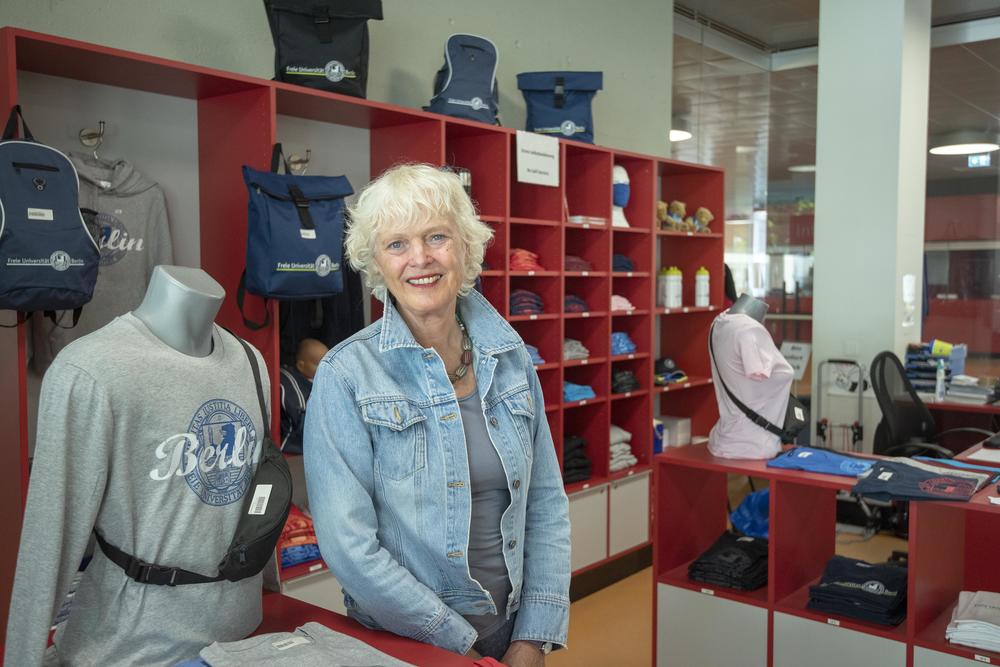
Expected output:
(734, 561)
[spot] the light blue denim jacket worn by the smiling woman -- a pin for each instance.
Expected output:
(388, 477)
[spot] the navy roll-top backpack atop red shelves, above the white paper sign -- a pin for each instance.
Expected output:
(559, 103)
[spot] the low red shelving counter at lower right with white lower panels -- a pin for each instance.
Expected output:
(952, 547)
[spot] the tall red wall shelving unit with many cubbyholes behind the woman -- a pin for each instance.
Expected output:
(237, 122)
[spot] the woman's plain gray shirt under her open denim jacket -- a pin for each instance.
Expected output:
(490, 499)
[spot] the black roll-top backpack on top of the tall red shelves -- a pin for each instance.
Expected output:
(322, 43)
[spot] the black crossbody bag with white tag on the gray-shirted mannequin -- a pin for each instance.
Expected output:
(262, 519)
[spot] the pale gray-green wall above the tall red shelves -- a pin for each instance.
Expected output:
(632, 43)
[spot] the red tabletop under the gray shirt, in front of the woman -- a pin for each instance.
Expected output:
(284, 614)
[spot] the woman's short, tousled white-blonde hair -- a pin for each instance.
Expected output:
(410, 194)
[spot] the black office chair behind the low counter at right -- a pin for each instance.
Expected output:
(907, 427)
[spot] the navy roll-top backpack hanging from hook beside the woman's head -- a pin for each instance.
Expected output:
(295, 235)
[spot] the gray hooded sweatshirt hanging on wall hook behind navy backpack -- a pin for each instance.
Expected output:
(134, 237)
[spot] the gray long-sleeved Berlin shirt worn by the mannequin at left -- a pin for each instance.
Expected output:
(152, 448)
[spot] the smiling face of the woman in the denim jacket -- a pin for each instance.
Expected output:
(422, 266)
